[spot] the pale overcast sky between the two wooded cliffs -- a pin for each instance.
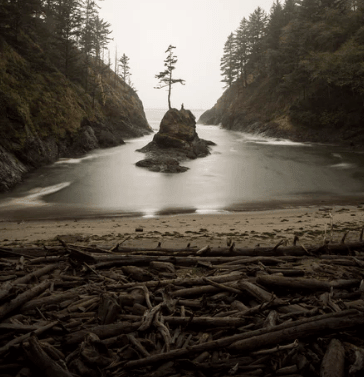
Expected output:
(143, 30)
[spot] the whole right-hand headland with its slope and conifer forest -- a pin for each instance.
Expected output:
(297, 72)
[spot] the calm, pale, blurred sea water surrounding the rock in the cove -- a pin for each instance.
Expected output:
(243, 172)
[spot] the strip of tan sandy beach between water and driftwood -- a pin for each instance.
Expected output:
(312, 224)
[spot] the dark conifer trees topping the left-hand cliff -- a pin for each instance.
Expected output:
(70, 32)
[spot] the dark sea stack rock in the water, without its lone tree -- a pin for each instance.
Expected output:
(177, 140)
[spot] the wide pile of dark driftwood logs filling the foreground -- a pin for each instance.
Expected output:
(283, 311)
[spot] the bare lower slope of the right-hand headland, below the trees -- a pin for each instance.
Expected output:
(252, 110)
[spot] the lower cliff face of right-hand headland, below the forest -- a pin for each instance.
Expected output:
(260, 108)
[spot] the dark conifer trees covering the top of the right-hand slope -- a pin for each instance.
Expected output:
(308, 52)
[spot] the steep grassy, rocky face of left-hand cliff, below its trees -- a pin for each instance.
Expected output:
(44, 116)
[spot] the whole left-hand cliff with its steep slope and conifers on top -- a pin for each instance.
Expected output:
(58, 97)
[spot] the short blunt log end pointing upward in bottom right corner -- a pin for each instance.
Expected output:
(333, 362)
